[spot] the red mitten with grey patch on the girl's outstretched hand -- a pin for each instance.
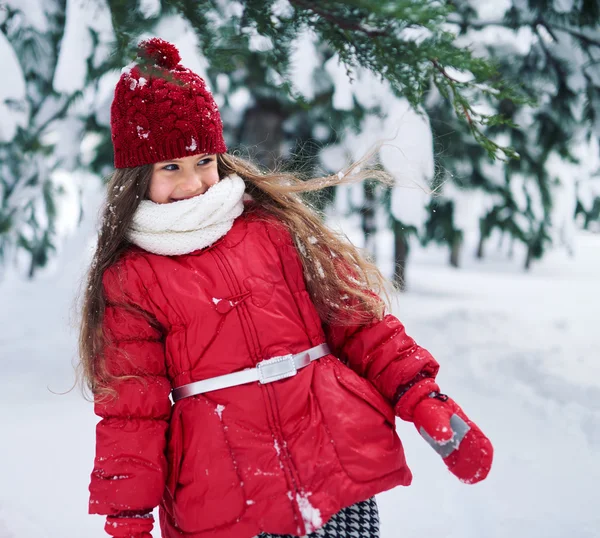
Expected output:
(466, 451)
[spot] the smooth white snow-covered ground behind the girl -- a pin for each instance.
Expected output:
(520, 352)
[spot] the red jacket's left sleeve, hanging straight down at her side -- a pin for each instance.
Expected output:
(130, 466)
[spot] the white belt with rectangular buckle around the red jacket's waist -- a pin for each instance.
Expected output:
(266, 371)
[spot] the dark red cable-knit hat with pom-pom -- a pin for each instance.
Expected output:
(162, 110)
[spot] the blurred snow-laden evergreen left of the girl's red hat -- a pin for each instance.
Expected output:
(61, 52)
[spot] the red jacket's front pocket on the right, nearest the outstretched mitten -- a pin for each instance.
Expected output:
(360, 422)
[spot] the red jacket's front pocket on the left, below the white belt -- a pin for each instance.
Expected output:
(207, 489)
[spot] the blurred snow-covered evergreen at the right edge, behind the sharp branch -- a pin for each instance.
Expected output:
(552, 48)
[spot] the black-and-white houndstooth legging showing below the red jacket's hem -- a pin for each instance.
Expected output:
(361, 520)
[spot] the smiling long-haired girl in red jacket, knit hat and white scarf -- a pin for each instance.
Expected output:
(246, 376)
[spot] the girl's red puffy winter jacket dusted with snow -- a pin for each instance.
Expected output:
(281, 457)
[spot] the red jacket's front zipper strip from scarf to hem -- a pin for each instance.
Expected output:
(280, 444)
